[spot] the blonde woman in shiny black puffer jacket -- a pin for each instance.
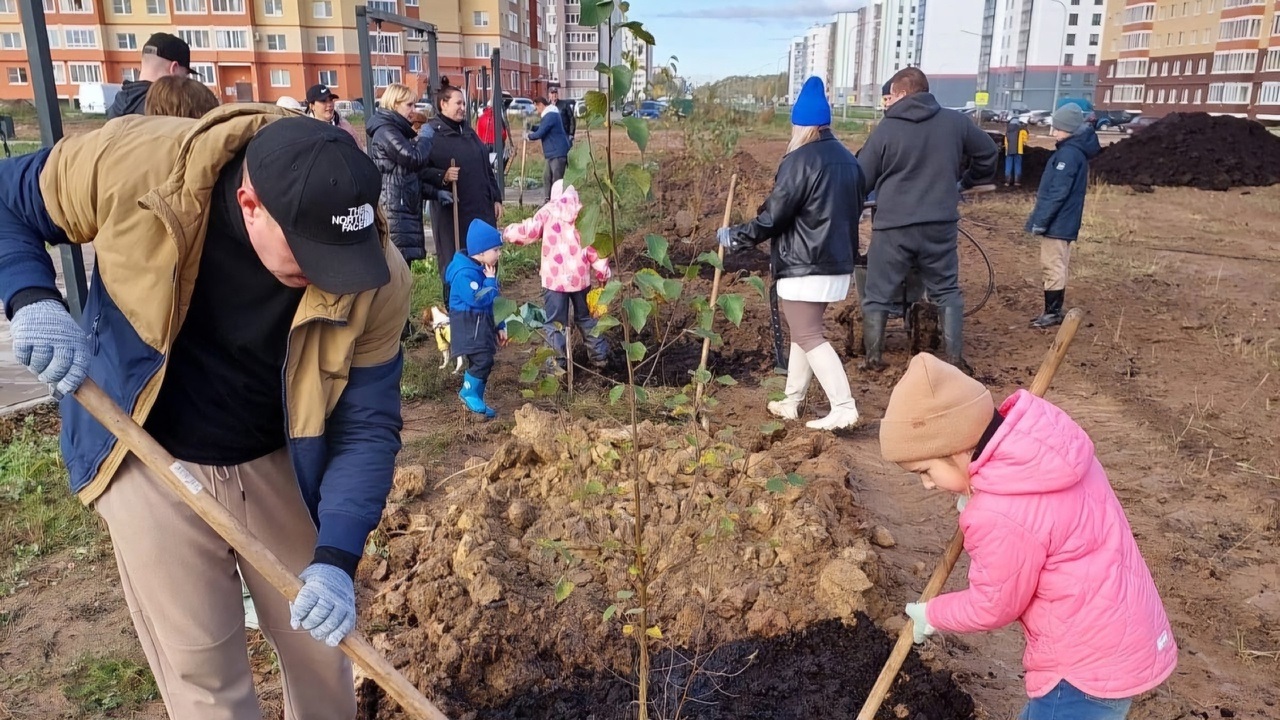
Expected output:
(401, 156)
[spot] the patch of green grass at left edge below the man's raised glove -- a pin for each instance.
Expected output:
(39, 517)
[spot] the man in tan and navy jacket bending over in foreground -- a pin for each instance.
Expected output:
(246, 309)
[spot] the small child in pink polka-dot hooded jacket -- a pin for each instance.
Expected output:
(568, 270)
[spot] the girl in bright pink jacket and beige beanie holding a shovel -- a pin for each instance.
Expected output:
(1048, 540)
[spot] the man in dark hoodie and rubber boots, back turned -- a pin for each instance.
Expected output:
(912, 161)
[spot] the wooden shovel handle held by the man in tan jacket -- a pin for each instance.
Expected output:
(179, 480)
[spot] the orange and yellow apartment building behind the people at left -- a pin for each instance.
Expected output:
(264, 51)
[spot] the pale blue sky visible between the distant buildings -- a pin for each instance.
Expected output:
(715, 39)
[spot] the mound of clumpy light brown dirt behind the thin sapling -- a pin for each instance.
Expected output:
(467, 603)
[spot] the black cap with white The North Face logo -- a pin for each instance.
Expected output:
(323, 192)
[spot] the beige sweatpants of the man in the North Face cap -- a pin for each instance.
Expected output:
(182, 584)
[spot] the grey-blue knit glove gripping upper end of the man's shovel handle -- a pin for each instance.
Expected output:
(52, 345)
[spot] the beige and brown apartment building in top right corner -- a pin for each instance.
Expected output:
(1222, 57)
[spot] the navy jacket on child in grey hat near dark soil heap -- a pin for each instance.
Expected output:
(1060, 199)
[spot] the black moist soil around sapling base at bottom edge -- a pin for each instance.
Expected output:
(825, 671)
